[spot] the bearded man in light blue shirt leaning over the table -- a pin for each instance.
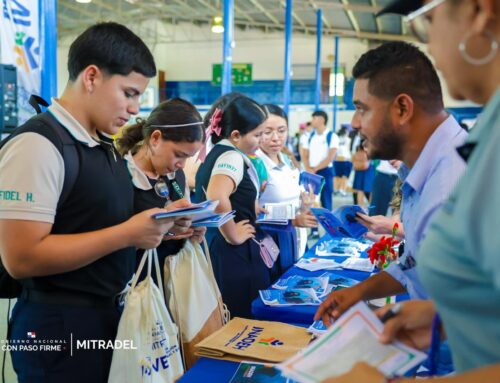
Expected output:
(400, 114)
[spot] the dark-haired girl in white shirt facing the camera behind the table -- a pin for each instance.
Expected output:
(283, 180)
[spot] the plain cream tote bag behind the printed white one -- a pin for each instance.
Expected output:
(193, 297)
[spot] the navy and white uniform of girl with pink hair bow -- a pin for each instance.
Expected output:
(239, 269)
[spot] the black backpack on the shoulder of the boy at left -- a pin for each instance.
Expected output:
(46, 125)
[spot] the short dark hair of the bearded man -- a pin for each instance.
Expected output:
(398, 67)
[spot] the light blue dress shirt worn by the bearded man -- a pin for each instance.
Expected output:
(426, 186)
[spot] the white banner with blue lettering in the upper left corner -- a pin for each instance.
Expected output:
(20, 46)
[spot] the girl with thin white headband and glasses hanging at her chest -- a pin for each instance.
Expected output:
(156, 150)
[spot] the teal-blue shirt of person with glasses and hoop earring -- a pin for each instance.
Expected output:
(460, 256)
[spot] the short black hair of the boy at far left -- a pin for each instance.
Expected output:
(113, 48)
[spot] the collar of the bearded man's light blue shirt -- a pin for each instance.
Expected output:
(447, 133)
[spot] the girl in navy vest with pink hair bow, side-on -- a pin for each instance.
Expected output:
(229, 176)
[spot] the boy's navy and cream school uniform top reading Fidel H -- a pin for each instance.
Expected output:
(31, 181)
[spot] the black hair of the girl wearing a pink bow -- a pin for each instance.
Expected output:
(242, 114)
